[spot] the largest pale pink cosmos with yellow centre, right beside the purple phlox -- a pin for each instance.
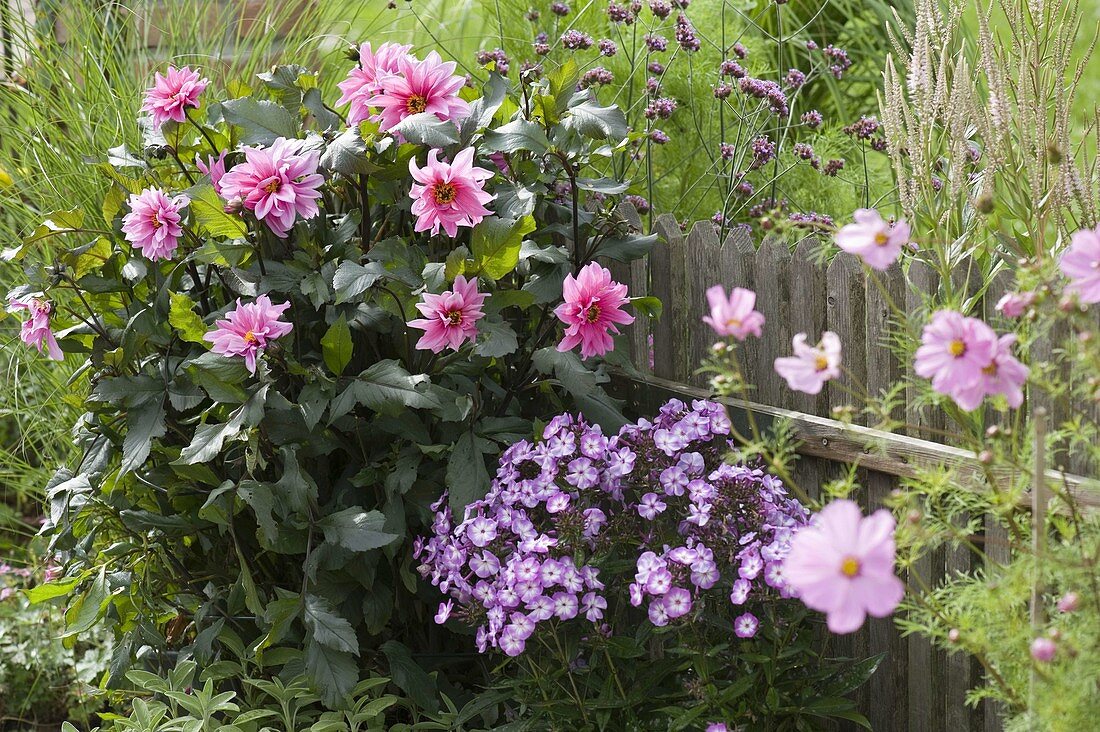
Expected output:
(842, 564)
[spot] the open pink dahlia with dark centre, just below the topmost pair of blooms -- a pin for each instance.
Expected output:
(449, 195)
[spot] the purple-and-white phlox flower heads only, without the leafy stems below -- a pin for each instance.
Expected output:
(659, 490)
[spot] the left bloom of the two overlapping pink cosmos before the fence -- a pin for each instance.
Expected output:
(955, 351)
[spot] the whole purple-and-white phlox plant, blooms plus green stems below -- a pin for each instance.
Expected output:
(639, 573)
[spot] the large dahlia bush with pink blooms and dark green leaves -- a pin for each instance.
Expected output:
(268, 420)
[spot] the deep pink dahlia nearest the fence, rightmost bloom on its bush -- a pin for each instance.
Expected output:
(592, 310)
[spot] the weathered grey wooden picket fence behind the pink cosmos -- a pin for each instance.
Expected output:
(917, 687)
